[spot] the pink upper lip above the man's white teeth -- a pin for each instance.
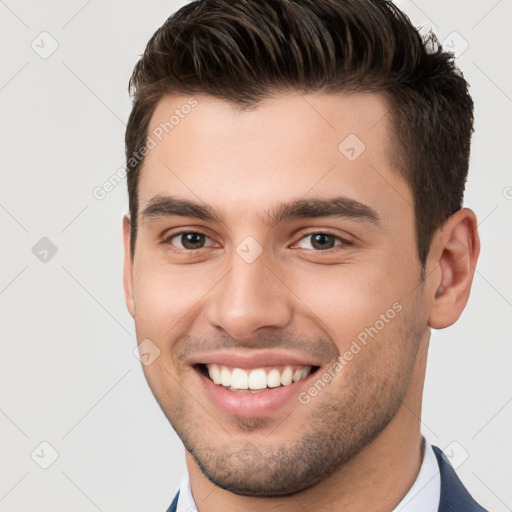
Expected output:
(252, 358)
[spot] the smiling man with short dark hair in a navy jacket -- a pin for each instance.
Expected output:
(296, 177)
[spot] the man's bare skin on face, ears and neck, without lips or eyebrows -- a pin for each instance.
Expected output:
(357, 444)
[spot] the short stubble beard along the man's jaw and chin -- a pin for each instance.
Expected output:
(340, 421)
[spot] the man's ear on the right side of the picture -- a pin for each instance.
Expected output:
(451, 266)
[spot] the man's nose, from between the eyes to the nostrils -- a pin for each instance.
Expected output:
(250, 298)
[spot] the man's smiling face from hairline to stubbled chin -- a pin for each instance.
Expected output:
(276, 252)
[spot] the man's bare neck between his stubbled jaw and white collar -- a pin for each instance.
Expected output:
(377, 478)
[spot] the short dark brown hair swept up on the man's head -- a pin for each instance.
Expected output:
(245, 50)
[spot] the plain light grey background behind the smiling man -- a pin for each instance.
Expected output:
(68, 373)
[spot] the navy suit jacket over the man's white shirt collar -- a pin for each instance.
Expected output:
(454, 496)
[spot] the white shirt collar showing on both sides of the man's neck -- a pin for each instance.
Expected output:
(423, 496)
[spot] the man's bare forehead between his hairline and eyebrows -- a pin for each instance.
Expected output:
(288, 146)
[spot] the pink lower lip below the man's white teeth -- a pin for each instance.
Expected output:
(250, 405)
